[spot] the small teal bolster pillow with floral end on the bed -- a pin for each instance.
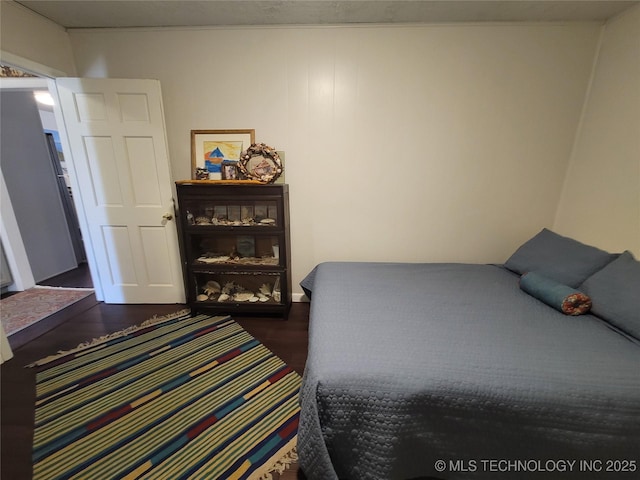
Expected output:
(561, 297)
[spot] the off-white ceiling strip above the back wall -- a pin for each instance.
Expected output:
(174, 13)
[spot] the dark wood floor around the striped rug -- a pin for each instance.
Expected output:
(287, 339)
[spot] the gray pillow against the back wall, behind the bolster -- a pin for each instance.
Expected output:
(559, 258)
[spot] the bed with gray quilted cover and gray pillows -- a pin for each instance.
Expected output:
(453, 371)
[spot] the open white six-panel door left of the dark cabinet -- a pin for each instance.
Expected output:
(116, 134)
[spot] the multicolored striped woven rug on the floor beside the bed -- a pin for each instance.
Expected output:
(188, 397)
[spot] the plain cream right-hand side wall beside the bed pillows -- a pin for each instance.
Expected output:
(600, 201)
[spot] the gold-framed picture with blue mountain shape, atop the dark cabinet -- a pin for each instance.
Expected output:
(210, 148)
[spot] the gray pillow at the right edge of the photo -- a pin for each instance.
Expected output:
(615, 293)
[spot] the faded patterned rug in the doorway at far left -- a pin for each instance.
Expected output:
(26, 308)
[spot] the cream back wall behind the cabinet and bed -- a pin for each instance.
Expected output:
(414, 143)
